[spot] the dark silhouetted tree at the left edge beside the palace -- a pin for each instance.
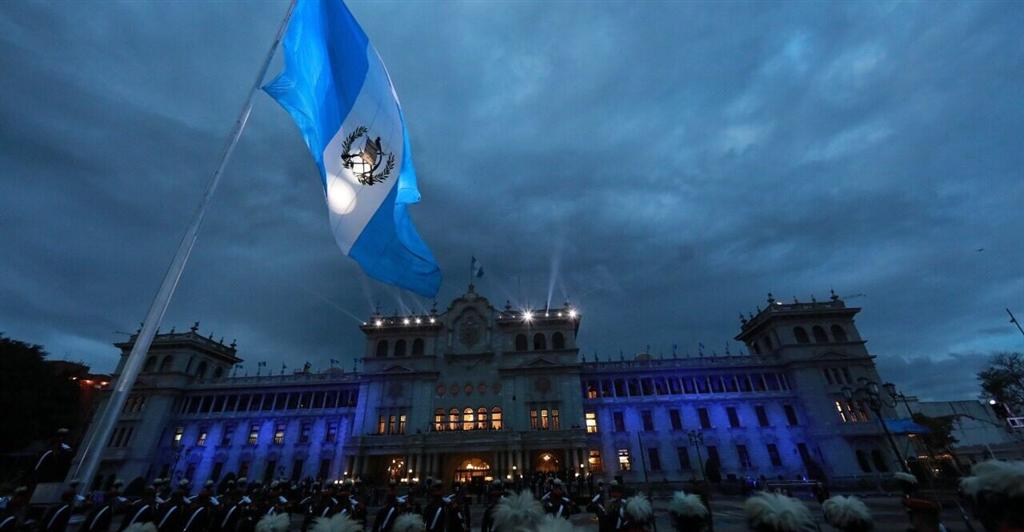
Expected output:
(36, 403)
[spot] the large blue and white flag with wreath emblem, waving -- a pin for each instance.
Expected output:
(338, 92)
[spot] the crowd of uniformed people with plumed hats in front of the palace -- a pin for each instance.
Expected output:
(995, 494)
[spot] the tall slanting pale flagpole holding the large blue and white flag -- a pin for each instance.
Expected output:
(94, 451)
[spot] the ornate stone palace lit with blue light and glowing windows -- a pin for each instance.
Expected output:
(480, 392)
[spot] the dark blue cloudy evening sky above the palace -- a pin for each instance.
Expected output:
(663, 165)
